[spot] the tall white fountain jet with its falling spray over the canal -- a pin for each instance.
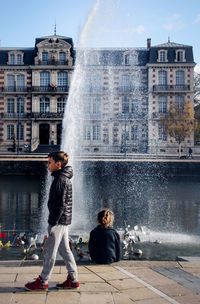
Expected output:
(137, 197)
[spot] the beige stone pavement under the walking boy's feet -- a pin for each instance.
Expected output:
(126, 282)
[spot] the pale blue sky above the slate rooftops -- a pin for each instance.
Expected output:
(116, 23)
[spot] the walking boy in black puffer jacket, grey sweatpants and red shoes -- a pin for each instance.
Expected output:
(60, 215)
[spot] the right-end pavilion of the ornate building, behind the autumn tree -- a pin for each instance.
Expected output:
(171, 82)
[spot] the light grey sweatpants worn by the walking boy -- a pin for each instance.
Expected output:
(58, 241)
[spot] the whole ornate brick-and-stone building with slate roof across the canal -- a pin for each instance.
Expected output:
(125, 90)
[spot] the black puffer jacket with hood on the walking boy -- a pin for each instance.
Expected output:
(60, 197)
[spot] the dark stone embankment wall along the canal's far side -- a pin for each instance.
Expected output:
(109, 167)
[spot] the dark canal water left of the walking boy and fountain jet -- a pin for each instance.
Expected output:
(19, 202)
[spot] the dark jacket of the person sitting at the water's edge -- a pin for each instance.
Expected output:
(104, 245)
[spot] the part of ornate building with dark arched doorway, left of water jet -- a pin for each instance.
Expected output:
(34, 86)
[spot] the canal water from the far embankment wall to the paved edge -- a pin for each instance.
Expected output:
(163, 212)
